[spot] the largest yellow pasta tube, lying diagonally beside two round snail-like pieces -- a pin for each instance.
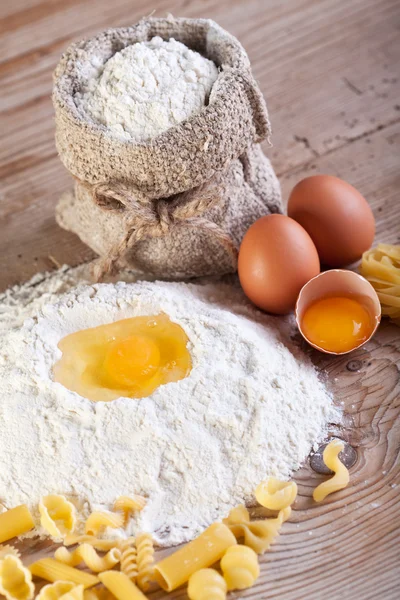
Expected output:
(202, 552)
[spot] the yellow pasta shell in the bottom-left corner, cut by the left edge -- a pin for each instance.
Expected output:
(15, 579)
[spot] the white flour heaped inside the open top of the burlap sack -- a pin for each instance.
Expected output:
(147, 88)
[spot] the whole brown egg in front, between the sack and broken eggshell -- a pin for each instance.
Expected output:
(276, 258)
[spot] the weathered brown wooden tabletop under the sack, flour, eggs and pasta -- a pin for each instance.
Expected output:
(330, 72)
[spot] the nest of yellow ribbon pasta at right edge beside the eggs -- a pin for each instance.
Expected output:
(381, 267)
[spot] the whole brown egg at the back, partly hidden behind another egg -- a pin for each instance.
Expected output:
(338, 219)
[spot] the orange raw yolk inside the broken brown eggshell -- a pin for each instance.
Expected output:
(337, 324)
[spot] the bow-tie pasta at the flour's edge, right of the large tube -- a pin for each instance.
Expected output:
(259, 534)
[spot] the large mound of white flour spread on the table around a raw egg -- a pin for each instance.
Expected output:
(252, 405)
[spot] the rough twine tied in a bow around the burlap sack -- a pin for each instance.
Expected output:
(145, 218)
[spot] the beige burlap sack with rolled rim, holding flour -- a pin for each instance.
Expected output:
(179, 204)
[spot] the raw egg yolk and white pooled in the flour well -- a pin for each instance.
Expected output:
(129, 358)
